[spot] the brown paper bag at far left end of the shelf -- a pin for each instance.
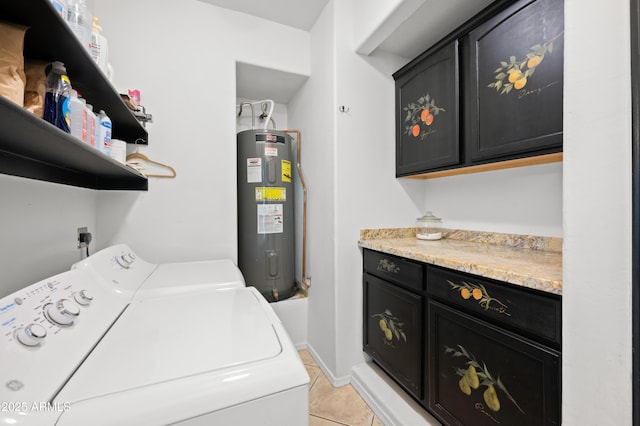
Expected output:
(12, 78)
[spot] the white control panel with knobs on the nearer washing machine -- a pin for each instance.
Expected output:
(48, 328)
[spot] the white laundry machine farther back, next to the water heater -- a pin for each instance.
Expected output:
(132, 275)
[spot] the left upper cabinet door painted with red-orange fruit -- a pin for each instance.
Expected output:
(427, 114)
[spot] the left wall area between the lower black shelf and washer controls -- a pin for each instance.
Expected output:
(38, 225)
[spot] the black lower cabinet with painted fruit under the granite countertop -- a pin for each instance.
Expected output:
(471, 351)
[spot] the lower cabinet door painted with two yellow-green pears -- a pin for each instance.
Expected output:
(481, 375)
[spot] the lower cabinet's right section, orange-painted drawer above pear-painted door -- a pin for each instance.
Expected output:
(493, 351)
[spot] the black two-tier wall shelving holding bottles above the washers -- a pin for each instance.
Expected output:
(31, 147)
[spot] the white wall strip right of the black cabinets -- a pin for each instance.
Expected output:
(597, 215)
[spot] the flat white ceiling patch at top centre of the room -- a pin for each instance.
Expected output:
(300, 14)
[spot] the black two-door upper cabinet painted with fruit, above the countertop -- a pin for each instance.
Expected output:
(502, 90)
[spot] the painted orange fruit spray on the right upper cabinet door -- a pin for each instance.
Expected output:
(518, 72)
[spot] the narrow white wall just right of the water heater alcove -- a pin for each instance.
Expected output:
(311, 111)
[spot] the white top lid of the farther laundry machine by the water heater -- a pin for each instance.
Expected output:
(186, 276)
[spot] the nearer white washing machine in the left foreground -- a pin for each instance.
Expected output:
(78, 350)
